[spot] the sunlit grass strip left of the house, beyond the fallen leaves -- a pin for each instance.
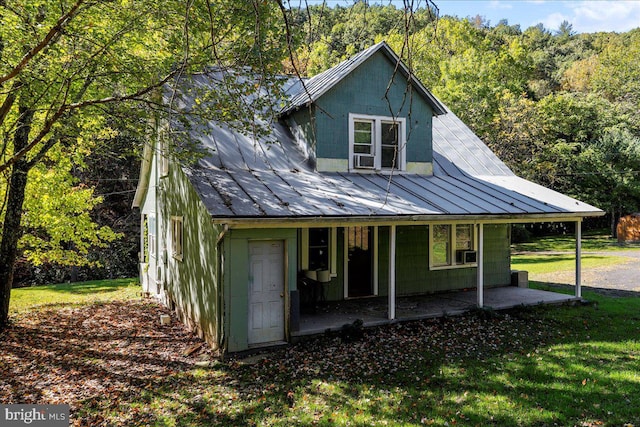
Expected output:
(23, 299)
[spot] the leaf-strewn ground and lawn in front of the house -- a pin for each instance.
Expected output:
(116, 365)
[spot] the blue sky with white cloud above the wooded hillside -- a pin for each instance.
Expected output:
(588, 16)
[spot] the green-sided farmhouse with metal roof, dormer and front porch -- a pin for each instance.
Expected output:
(367, 186)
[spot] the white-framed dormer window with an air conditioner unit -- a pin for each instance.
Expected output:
(376, 143)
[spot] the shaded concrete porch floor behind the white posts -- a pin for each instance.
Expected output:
(373, 311)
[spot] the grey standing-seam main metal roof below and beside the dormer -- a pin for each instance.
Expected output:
(249, 178)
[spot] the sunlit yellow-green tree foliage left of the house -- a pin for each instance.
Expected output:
(76, 76)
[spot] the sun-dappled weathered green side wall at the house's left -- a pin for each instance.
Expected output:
(192, 284)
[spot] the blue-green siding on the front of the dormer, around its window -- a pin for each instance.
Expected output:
(363, 92)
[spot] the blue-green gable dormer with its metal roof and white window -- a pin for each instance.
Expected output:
(367, 114)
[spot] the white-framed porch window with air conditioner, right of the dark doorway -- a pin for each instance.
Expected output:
(452, 245)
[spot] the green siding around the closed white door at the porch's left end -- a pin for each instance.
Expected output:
(236, 279)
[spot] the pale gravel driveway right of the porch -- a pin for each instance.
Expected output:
(620, 277)
